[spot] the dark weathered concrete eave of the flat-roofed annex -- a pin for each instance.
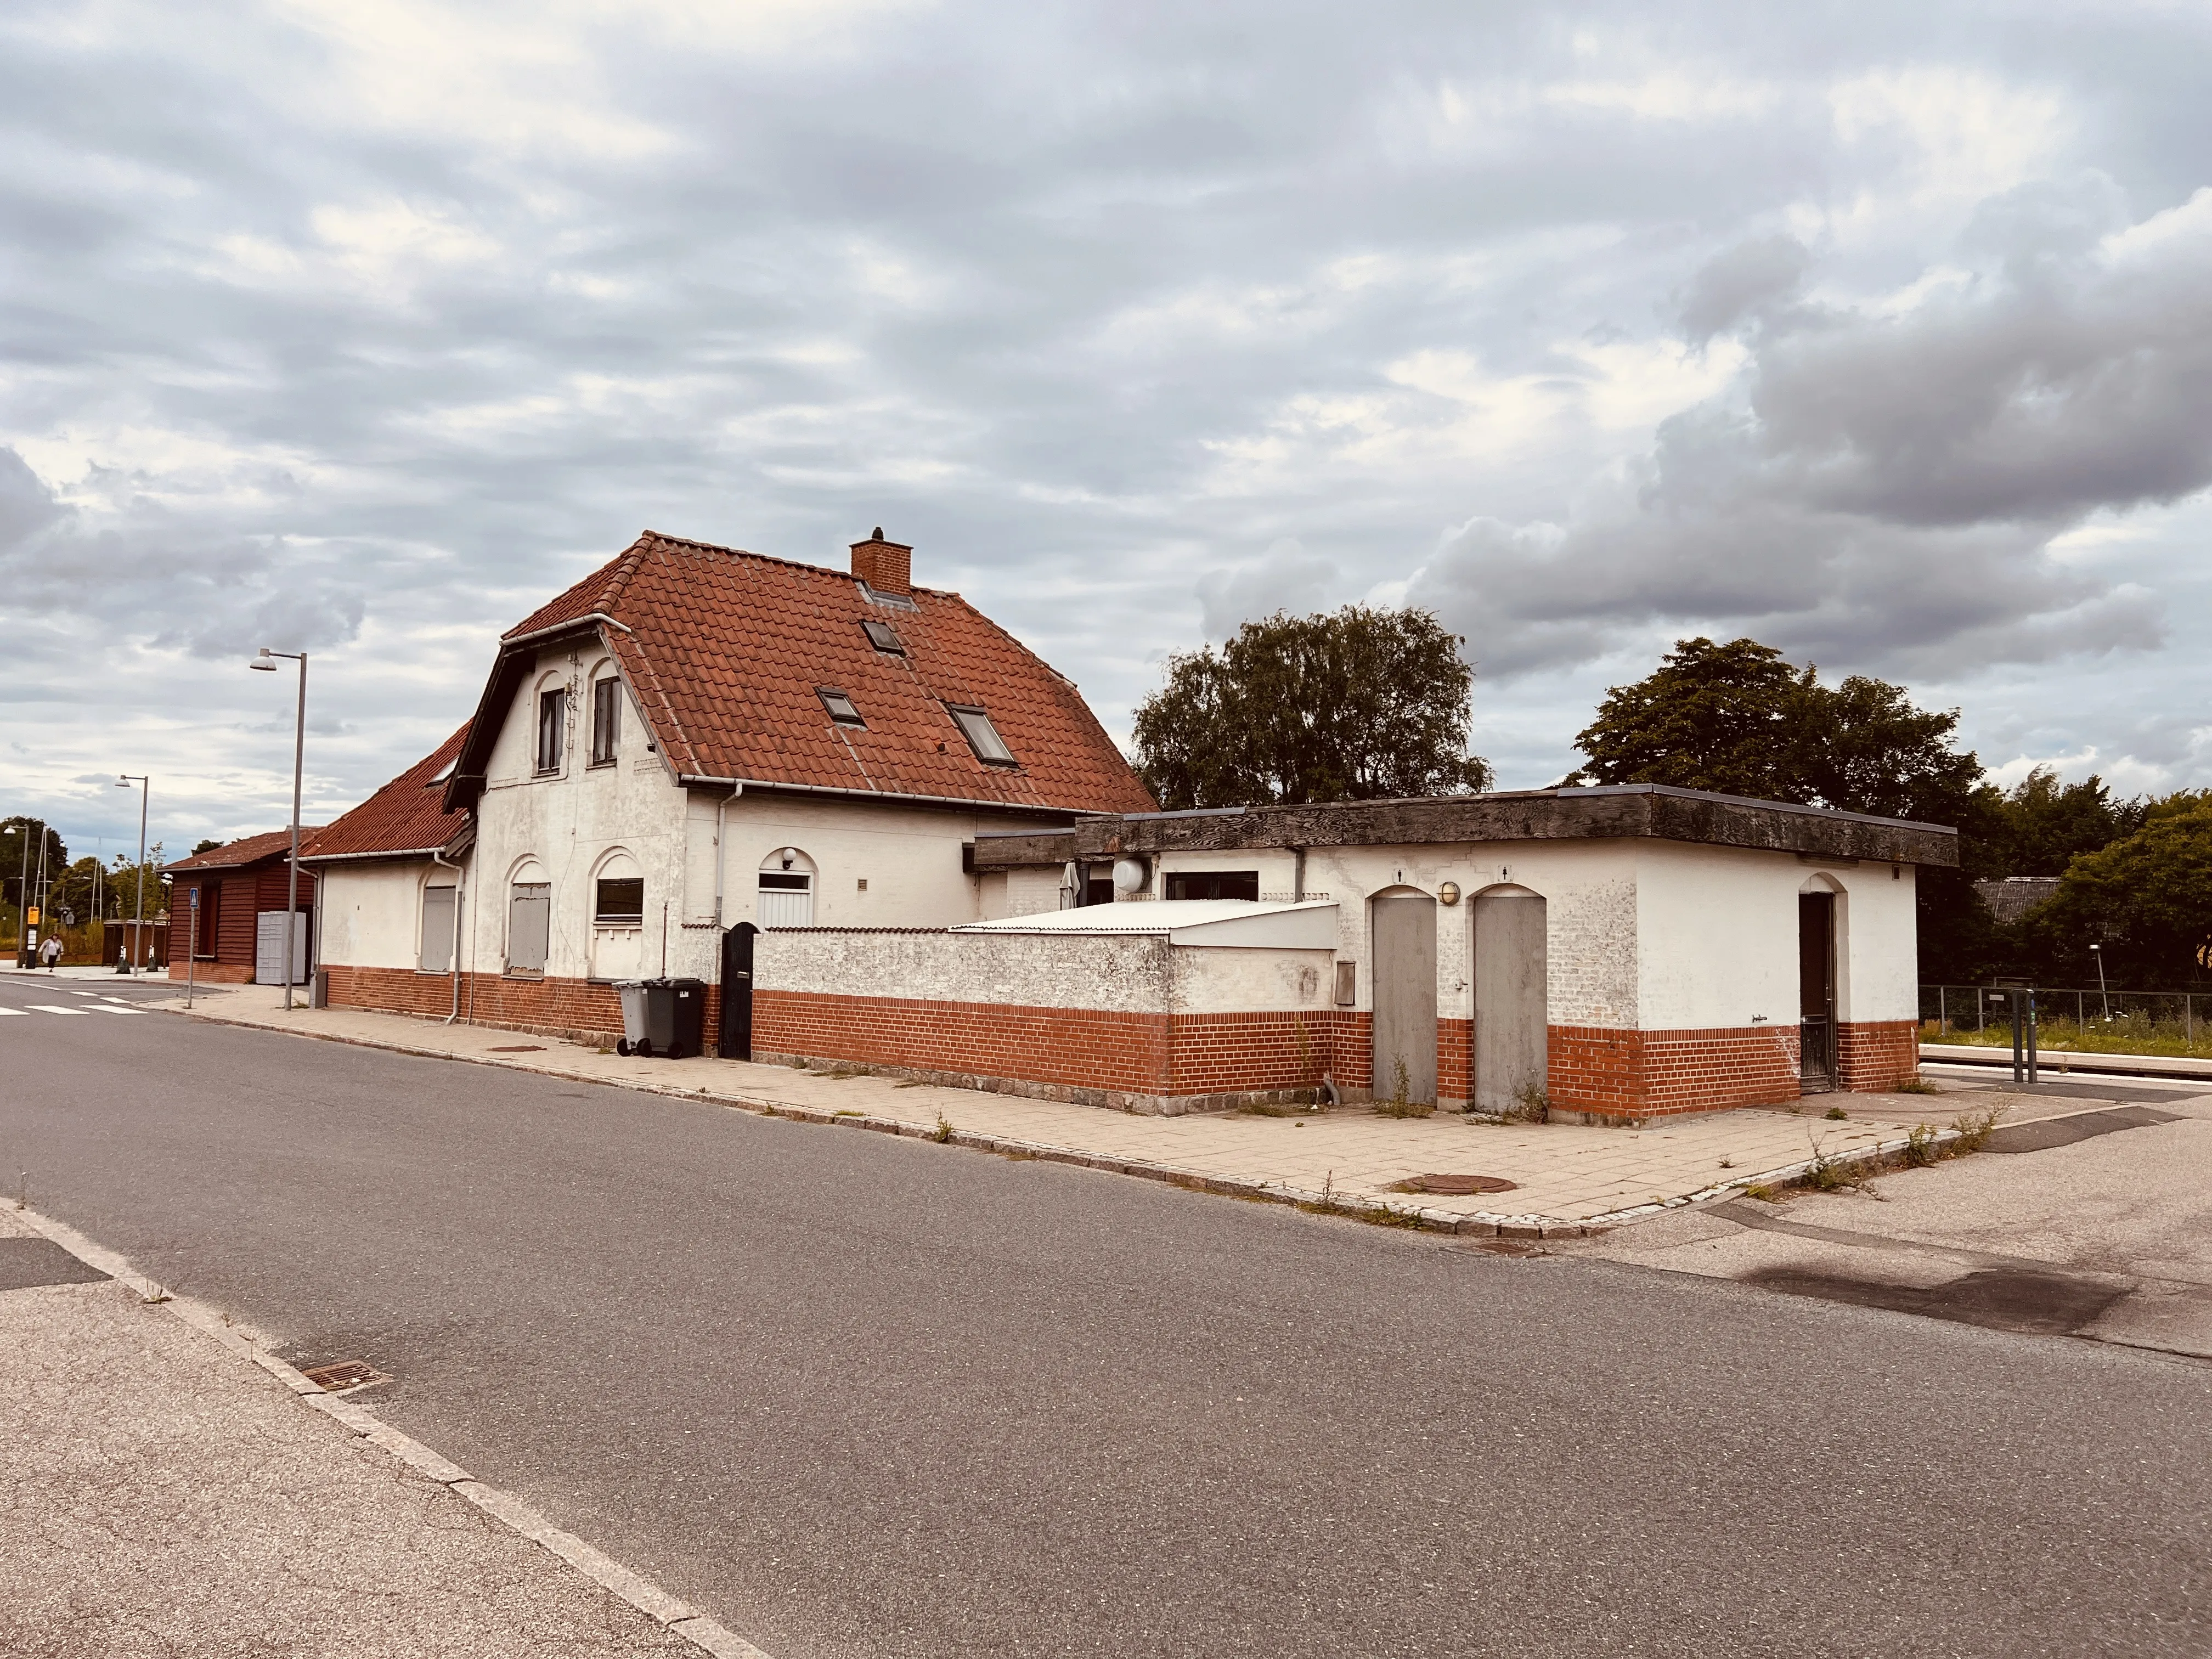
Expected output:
(1607, 813)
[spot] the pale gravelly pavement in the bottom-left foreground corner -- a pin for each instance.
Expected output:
(171, 1496)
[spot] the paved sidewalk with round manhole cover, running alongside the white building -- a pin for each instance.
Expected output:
(1565, 1178)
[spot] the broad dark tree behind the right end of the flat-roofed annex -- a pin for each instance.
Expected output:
(1742, 720)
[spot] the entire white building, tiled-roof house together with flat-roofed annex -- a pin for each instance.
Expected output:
(888, 835)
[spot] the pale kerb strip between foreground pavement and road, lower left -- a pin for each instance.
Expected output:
(612, 1576)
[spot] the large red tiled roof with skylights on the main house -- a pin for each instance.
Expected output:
(727, 651)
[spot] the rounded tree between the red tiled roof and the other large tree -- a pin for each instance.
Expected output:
(1359, 705)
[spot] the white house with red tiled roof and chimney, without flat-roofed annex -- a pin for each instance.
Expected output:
(689, 740)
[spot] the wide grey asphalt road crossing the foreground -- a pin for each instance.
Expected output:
(873, 1397)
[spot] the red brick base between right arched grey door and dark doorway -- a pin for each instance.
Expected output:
(1665, 1074)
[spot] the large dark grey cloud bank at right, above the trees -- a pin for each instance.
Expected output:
(1886, 490)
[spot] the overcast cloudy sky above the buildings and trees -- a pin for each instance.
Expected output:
(1881, 333)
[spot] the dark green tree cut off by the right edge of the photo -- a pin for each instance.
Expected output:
(2147, 901)
